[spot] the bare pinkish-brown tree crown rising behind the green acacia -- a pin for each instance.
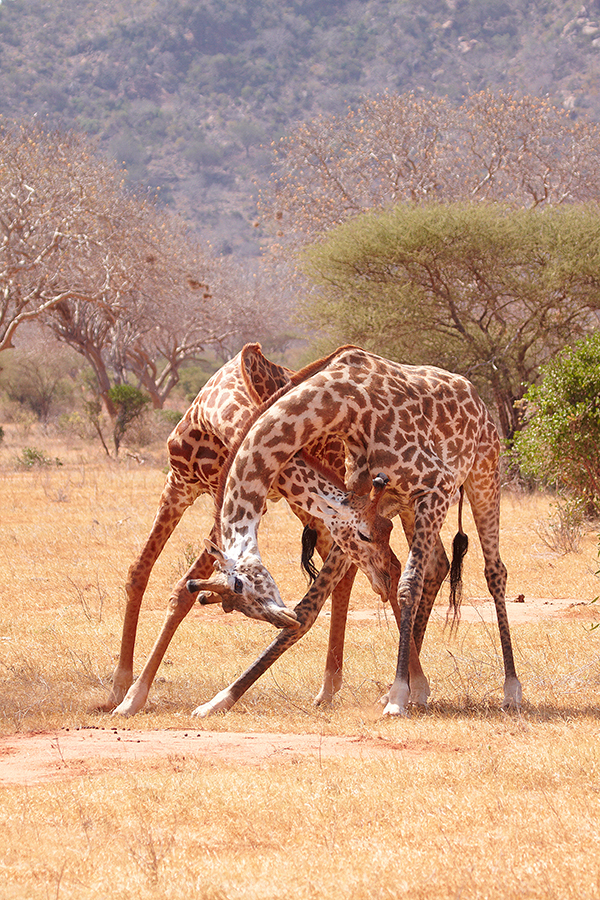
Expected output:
(402, 147)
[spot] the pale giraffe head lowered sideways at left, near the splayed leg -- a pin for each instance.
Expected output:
(246, 585)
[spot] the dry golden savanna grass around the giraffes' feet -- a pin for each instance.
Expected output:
(479, 805)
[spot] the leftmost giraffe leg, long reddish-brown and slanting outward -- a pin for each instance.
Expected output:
(175, 499)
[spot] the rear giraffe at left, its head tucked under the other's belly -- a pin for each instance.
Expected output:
(197, 450)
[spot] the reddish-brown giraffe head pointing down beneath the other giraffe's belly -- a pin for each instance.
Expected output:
(356, 526)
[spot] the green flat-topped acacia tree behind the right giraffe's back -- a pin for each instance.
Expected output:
(481, 289)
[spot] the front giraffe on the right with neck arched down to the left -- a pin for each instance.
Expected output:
(427, 429)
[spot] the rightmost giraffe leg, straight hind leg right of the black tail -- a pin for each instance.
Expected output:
(482, 488)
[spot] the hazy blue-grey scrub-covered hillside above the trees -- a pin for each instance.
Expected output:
(188, 94)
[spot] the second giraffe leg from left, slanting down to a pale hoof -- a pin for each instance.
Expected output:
(180, 604)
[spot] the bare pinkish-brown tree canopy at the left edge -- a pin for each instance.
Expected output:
(111, 274)
